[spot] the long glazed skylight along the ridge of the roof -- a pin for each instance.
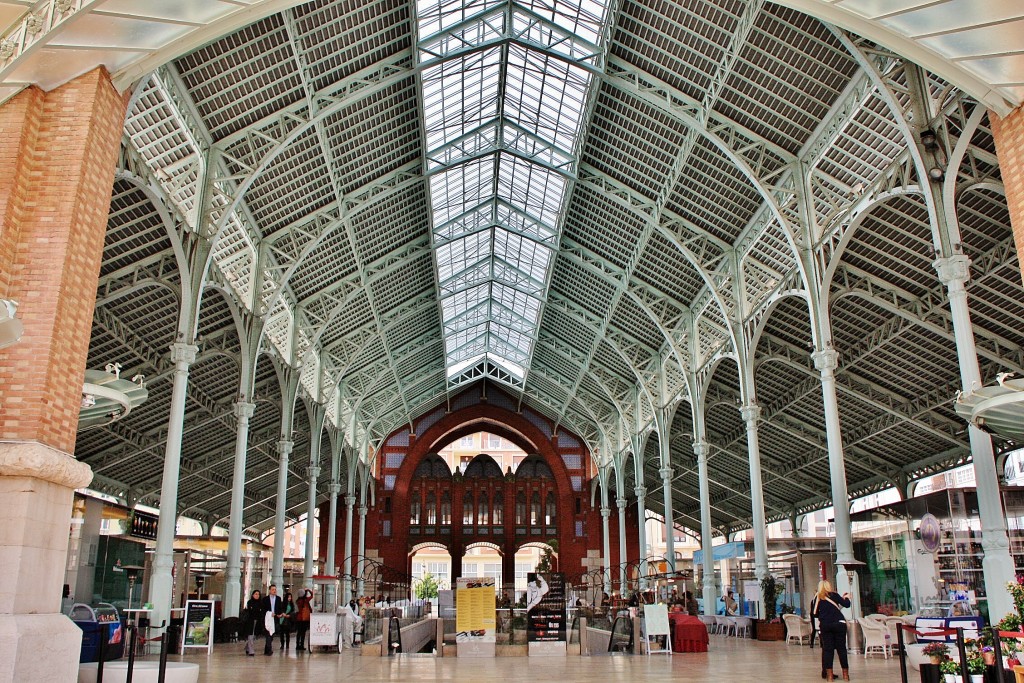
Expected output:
(505, 88)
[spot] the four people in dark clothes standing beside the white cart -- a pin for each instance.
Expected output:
(272, 615)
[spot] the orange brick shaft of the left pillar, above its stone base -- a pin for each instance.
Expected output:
(58, 156)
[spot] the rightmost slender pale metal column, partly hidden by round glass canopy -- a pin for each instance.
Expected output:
(998, 565)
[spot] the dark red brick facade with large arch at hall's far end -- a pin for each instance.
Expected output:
(578, 524)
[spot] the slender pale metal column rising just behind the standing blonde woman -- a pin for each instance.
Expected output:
(827, 361)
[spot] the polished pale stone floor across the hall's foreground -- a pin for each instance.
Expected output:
(730, 660)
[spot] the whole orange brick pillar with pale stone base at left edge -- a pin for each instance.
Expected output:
(58, 156)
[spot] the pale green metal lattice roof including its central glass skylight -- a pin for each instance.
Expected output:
(573, 200)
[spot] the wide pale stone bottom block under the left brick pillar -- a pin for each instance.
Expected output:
(39, 648)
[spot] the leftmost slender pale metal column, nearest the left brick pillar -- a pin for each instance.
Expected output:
(162, 584)
